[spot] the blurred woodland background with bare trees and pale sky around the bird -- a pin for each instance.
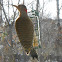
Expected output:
(47, 18)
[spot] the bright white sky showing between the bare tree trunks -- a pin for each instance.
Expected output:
(49, 7)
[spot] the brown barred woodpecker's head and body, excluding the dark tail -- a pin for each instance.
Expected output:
(24, 28)
